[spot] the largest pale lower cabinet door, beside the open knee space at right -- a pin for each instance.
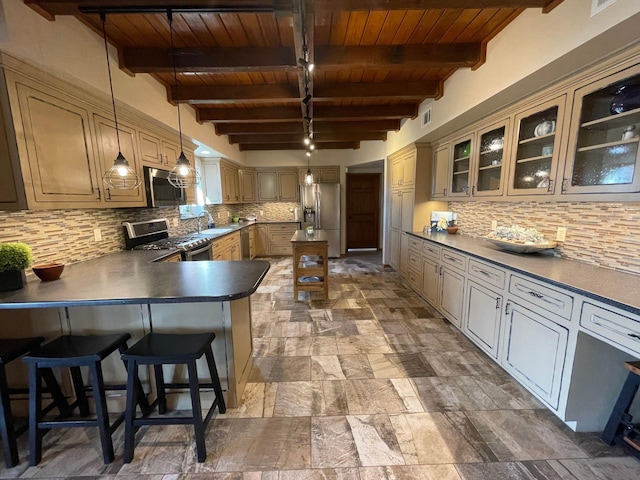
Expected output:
(534, 351)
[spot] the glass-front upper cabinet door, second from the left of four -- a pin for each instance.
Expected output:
(492, 153)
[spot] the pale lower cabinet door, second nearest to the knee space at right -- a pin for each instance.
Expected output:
(483, 315)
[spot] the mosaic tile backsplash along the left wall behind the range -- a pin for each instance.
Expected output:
(67, 235)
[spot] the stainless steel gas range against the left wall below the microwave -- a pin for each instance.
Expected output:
(154, 235)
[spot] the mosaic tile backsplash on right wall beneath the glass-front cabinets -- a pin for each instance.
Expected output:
(604, 234)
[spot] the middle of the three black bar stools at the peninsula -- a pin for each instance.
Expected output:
(73, 352)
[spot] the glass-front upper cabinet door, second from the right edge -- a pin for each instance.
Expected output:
(537, 149)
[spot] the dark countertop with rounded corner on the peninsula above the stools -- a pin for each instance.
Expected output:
(131, 277)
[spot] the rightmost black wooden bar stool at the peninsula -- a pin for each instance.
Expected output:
(160, 349)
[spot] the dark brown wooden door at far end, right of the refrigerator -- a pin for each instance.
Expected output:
(363, 210)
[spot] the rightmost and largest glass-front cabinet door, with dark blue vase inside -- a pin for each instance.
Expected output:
(603, 144)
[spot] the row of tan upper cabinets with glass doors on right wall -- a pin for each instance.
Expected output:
(578, 140)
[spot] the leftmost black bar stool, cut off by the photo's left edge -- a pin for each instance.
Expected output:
(10, 350)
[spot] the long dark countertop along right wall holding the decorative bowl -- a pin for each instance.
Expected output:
(606, 285)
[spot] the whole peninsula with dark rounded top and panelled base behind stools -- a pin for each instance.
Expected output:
(129, 292)
